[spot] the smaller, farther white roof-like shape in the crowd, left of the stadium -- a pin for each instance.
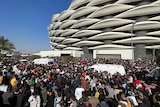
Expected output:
(42, 61)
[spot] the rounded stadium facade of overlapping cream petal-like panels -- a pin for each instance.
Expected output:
(107, 28)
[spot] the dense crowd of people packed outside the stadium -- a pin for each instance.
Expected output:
(72, 84)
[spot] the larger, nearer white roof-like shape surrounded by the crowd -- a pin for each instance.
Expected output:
(110, 68)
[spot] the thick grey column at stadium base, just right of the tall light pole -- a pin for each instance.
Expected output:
(139, 51)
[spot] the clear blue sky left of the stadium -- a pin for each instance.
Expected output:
(24, 22)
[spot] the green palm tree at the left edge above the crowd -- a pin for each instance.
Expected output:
(5, 44)
